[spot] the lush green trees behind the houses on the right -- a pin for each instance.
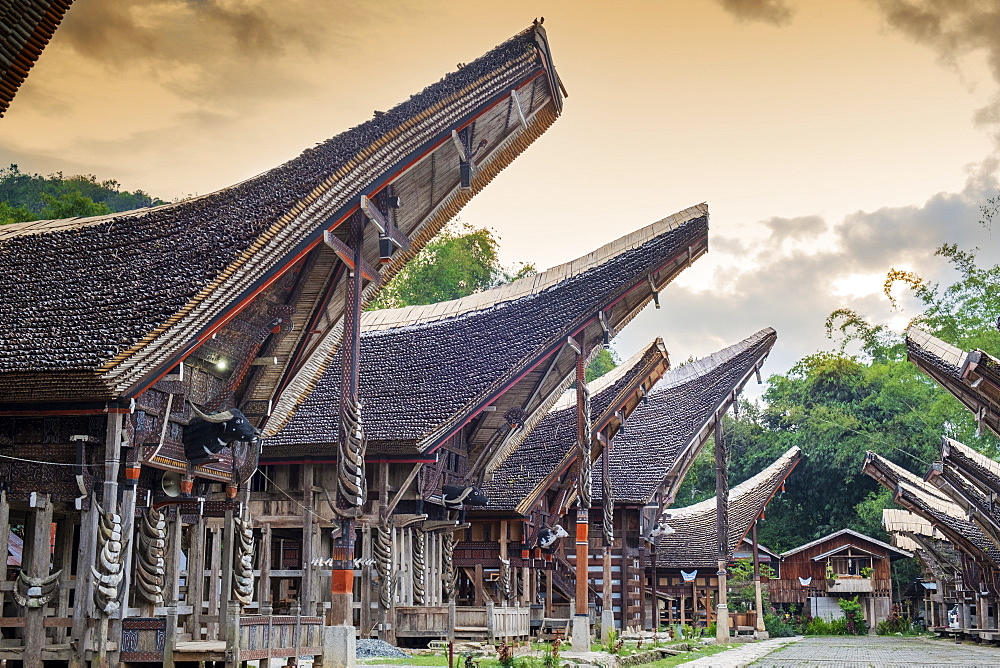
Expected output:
(835, 406)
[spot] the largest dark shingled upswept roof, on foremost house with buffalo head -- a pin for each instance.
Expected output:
(99, 307)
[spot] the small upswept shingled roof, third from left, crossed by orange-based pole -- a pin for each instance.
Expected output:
(550, 448)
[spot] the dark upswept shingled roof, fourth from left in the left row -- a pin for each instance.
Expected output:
(662, 437)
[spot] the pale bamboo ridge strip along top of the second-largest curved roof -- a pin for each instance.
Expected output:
(529, 285)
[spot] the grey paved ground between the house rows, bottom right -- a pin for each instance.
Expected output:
(880, 651)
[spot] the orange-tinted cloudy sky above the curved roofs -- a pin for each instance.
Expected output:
(832, 139)
